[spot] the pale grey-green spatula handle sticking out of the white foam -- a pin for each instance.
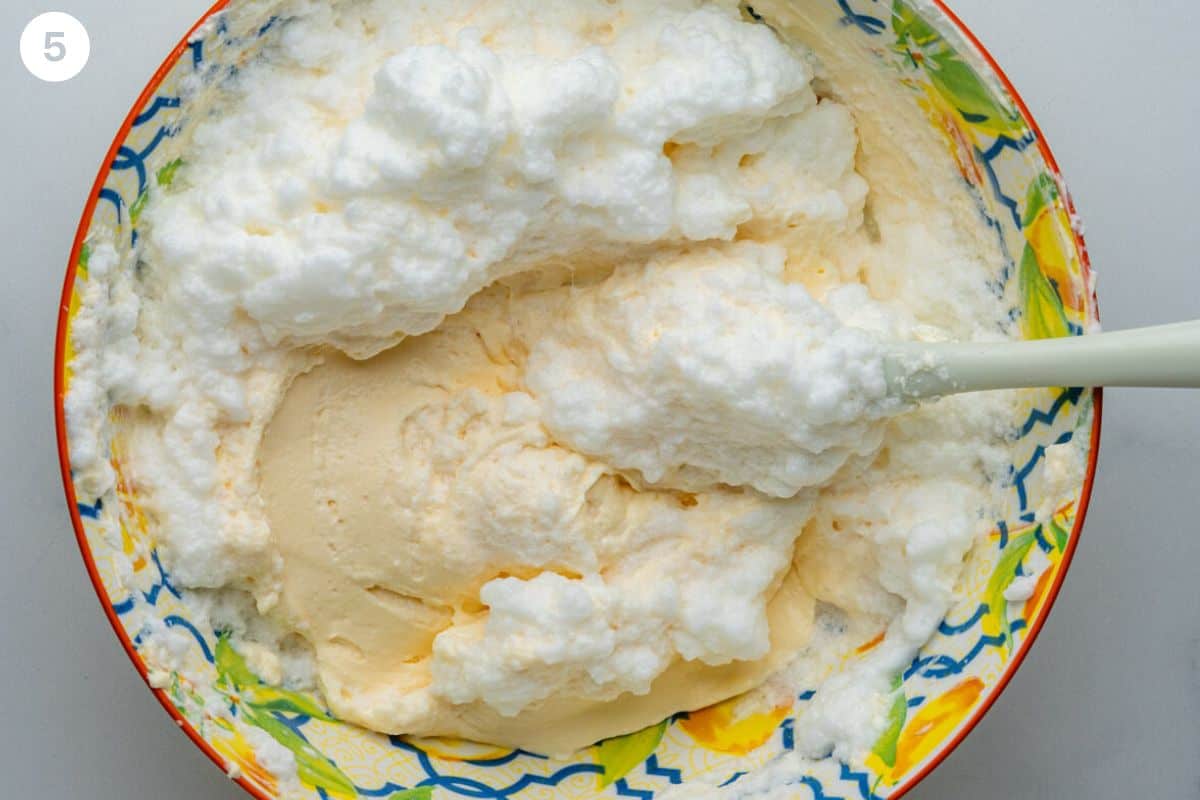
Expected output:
(1167, 357)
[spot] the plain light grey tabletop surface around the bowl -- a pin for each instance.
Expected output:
(1108, 705)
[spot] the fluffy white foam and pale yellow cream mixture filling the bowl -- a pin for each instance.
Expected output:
(525, 362)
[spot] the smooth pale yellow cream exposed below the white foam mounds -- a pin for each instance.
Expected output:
(399, 488)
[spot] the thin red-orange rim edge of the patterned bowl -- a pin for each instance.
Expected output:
(61, 348)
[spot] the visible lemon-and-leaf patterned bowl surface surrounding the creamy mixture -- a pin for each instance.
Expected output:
(940, 697)
